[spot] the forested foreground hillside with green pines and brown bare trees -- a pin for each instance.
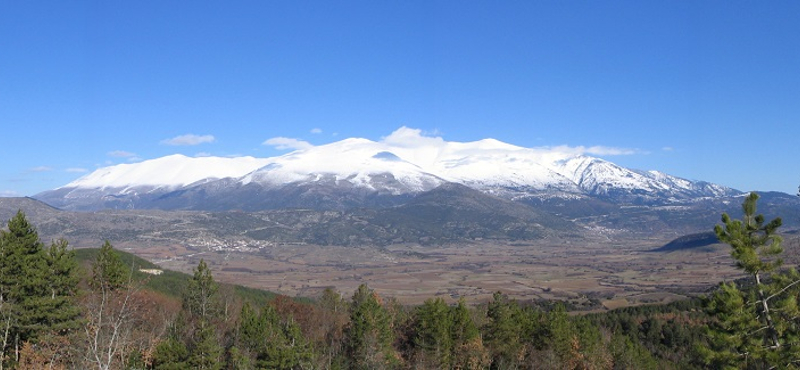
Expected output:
(106, 310)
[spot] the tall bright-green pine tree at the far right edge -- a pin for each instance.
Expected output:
(756, 326)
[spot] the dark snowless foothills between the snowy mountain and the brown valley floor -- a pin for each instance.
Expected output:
(451, 213)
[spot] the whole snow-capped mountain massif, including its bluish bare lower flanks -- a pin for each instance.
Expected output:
(360, 172)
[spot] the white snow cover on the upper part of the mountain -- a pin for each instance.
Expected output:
(404, 162)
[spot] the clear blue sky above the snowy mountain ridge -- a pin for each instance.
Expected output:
(705, 90)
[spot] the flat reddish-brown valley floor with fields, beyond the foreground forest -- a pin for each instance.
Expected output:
(592, 275)
